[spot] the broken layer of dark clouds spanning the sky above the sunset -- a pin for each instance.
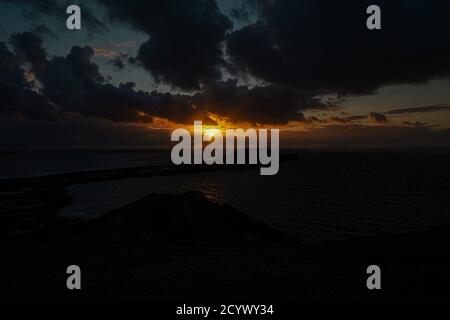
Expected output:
(272, 71)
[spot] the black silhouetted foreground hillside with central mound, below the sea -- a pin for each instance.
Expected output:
(185, 247)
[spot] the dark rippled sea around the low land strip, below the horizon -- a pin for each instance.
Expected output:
(323, 195)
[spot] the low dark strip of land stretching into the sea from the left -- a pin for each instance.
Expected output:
(40, 198)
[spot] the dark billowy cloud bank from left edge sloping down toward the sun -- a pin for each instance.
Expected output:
(74, 83)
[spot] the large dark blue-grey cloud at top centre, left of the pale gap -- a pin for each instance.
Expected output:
(186, 36)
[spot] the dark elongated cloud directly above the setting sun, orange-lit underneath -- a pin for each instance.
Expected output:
(261, 104)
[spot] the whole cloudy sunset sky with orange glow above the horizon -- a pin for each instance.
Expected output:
(139, 69)
